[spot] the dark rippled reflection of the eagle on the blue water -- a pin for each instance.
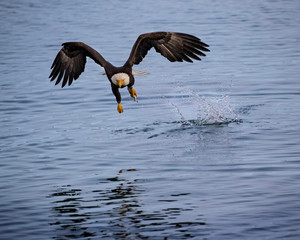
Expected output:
(116, 212)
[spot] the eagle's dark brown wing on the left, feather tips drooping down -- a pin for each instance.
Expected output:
(70, 62)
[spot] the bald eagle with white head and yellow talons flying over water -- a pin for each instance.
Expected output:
(71, 59)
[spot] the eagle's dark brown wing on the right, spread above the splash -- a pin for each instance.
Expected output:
(172, 45)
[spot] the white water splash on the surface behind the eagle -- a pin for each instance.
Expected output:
(204, 110)
